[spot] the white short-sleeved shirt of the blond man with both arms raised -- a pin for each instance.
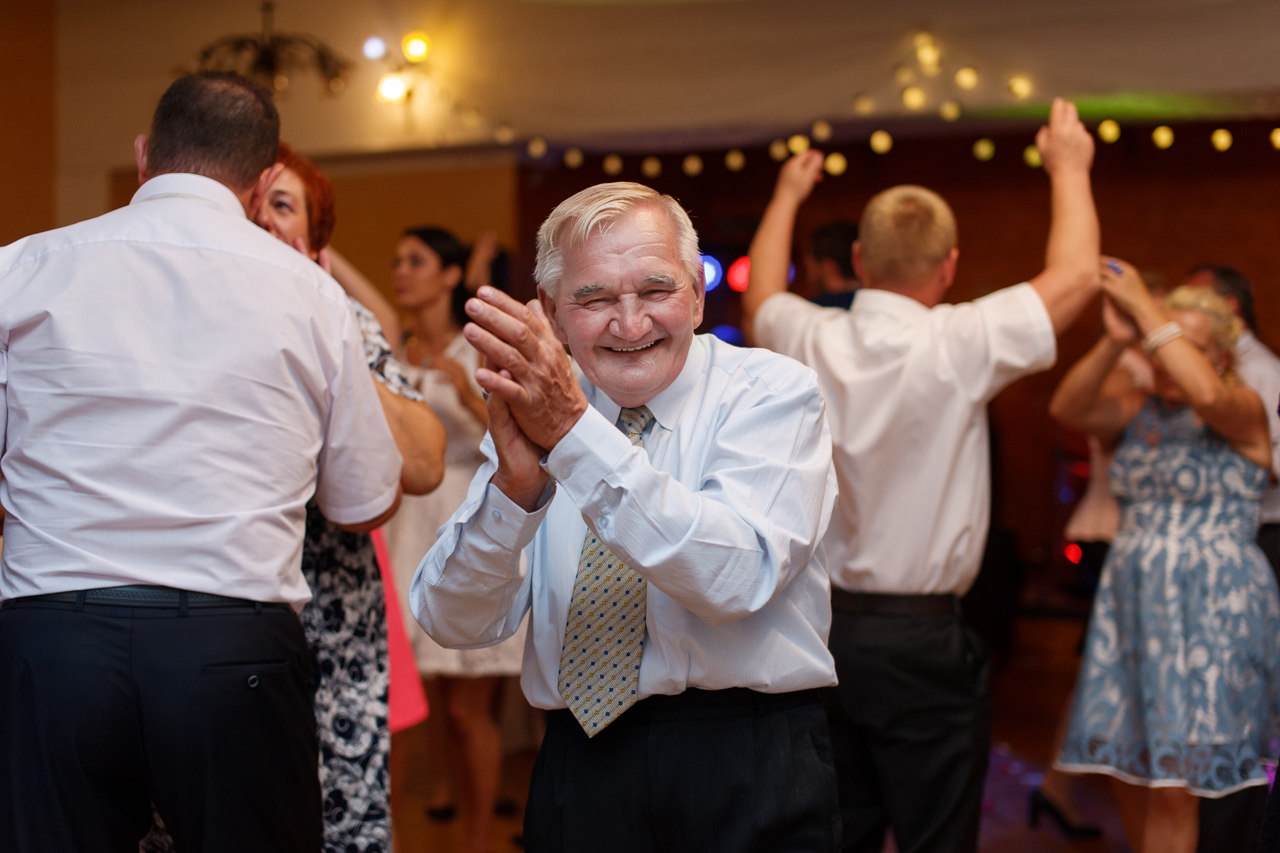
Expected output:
(907, 390)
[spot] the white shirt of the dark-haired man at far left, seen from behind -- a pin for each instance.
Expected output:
(170, 378)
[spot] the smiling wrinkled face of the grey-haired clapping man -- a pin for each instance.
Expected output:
(627, 307)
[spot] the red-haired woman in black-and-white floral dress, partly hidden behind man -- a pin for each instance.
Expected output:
(346, 622)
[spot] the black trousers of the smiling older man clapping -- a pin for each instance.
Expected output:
(702, 772)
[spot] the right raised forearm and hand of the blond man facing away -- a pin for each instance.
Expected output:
(1071, 277)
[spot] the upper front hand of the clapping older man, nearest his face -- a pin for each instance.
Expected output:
(529, 367)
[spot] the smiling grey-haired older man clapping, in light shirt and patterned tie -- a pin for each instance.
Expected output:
(687, 537)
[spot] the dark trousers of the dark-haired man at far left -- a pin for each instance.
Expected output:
(108, 710)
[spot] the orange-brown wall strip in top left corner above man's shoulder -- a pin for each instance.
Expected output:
(28, 126)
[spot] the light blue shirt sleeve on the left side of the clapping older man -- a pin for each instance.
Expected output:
(472, 589)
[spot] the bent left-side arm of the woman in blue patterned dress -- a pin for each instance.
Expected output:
(1095, 398)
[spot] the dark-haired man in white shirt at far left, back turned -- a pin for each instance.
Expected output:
(177, 384)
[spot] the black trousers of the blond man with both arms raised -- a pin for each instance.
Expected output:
(911, 726)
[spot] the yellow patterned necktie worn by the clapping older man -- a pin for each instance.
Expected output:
(601, 658)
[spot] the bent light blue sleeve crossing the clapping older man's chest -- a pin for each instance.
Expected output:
(726, 549)
